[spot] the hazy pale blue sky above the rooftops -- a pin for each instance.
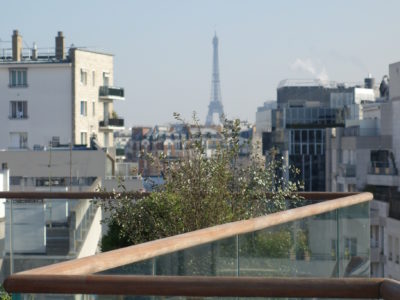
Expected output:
(163, 50)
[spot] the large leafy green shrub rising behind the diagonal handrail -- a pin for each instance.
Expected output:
(201, 191)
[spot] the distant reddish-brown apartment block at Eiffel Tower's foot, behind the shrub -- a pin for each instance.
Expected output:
(173, 143)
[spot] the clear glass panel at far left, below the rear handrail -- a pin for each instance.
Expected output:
(47, 231)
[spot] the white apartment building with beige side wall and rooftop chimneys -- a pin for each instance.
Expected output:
(58, 96)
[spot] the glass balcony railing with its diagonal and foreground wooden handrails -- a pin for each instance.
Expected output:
(217, 261)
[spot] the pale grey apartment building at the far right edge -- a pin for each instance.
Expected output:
(365, 156)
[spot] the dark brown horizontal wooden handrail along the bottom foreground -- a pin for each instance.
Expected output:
(198, 286)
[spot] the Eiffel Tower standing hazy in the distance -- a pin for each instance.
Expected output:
(215, 106)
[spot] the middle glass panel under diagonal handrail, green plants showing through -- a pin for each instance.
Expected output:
(295, 249)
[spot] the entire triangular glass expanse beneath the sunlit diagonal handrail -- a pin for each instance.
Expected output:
(334, 244)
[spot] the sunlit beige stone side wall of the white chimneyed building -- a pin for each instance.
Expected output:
(98, 63)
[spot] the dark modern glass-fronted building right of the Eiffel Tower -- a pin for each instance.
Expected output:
(305, 108)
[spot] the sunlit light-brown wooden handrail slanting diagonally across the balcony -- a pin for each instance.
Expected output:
(128, 255)
